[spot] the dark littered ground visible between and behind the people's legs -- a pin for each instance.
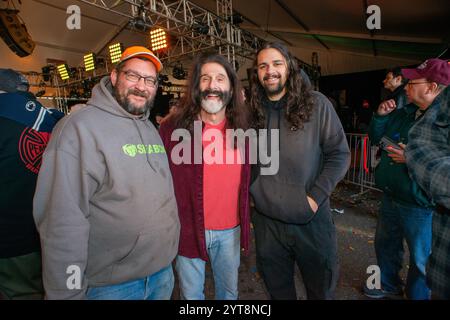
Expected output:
(355, 234)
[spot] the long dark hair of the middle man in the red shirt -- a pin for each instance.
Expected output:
(237, 113)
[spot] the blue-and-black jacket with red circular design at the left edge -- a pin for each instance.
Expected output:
(25, 128)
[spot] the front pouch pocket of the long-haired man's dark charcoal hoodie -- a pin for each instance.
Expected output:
(284, 201)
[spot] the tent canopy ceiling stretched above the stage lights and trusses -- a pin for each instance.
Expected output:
(411, 31)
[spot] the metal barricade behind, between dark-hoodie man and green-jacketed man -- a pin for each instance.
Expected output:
(363, 162)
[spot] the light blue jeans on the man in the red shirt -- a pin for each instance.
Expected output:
(224, 253)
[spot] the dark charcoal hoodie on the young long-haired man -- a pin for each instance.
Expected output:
(312, 161)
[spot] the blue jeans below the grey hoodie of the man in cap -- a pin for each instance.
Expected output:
(157, 286)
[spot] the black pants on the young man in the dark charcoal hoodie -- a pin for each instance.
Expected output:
(312, 246)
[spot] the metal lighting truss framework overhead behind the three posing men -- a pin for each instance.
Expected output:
(191, 28)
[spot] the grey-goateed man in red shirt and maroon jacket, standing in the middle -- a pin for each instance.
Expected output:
(212, 192)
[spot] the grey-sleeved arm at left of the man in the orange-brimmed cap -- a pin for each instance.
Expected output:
(60, 209)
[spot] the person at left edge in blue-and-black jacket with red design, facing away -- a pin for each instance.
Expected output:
(25, 127)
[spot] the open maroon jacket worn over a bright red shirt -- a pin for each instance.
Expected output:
(188, 184)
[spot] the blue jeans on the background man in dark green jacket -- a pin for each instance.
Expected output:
(395, 223)
